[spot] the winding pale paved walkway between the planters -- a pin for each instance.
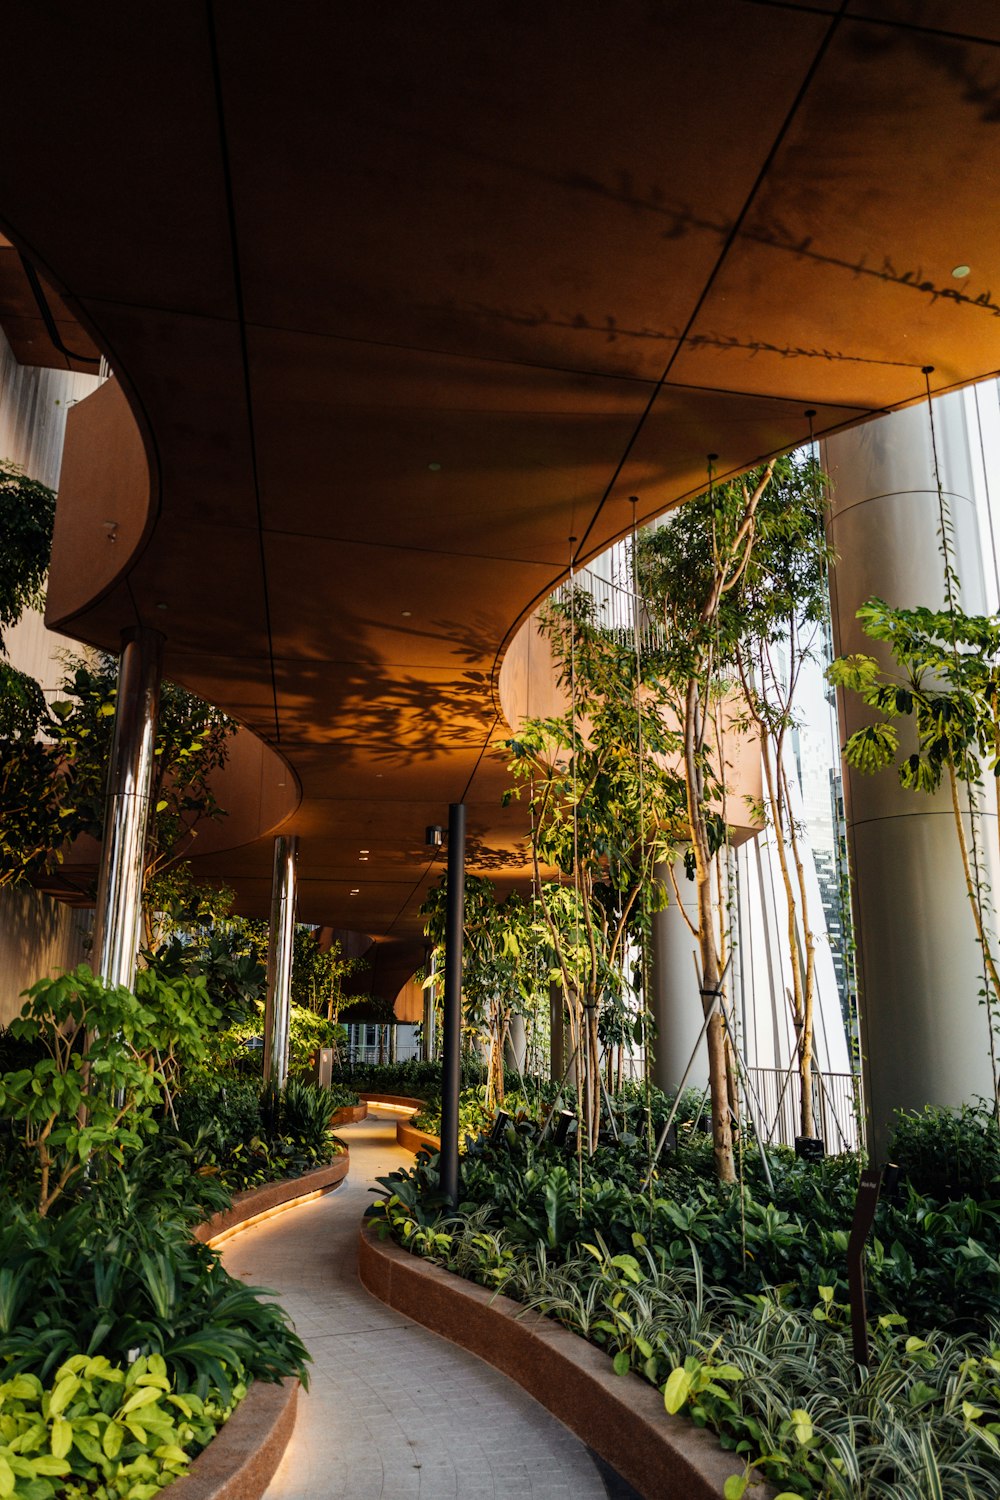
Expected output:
(395, 1412)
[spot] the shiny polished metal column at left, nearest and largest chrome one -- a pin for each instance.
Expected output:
(119, 914)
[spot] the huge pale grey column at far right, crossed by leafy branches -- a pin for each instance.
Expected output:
(924, 1030)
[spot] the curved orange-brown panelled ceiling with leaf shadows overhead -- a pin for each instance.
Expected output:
(406, 298)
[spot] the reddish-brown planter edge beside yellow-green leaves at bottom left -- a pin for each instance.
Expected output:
(241, 1460)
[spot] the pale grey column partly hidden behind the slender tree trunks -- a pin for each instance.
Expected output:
(674, 992)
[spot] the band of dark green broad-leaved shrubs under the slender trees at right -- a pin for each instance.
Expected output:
(936, 1264)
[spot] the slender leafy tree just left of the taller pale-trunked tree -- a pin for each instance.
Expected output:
(605, 812)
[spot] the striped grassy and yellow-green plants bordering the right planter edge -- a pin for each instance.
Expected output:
(776, 1382)
